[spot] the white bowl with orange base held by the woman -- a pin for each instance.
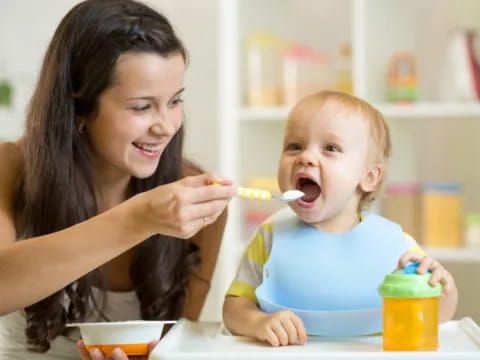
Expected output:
(131, 336)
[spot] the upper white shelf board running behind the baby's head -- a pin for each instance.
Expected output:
(416, 110)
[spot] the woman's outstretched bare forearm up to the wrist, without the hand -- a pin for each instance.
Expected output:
(32, 269)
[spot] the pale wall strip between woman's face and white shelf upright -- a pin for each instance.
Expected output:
(196, 23)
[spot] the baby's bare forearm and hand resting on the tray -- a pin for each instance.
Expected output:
(243, 317)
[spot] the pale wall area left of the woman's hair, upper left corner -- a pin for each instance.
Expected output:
(24, 36)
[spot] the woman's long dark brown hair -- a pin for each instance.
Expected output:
(56, 190)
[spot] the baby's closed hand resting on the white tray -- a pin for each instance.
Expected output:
(280, 328)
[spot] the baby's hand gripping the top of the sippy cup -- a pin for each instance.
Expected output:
(439, 273)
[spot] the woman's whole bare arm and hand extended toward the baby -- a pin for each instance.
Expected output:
(33, 269)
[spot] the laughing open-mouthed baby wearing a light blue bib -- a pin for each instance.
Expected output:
(328, 254)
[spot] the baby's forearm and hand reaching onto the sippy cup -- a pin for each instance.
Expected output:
(449, 298)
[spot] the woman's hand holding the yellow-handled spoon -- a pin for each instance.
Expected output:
(184, 207)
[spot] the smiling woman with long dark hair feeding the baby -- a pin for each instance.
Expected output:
(97, 190)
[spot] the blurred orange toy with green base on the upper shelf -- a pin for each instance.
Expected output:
(402, 79)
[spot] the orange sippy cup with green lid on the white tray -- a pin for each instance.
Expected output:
(410, 310)
